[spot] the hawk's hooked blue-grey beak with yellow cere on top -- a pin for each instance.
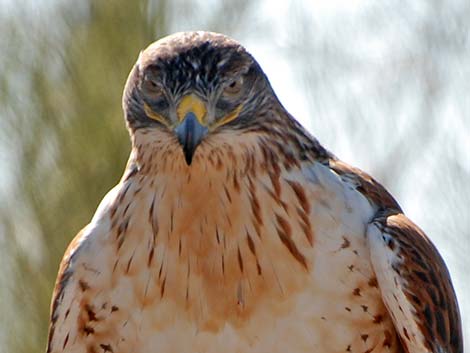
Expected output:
(191, 128)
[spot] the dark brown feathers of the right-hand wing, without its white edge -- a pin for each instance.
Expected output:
(428, 284)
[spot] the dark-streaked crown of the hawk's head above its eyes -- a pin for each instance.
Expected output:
(192, 57)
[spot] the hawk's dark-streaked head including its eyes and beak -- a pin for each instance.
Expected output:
(195, 85)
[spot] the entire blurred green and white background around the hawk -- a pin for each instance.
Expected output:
(383, 84)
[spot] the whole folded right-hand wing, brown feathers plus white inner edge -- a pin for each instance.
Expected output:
(415, 285)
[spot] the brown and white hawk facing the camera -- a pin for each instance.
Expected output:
(233, 230)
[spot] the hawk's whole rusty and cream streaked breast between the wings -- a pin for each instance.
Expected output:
(210, 249)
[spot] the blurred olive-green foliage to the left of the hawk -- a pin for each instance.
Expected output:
(70, 138)
